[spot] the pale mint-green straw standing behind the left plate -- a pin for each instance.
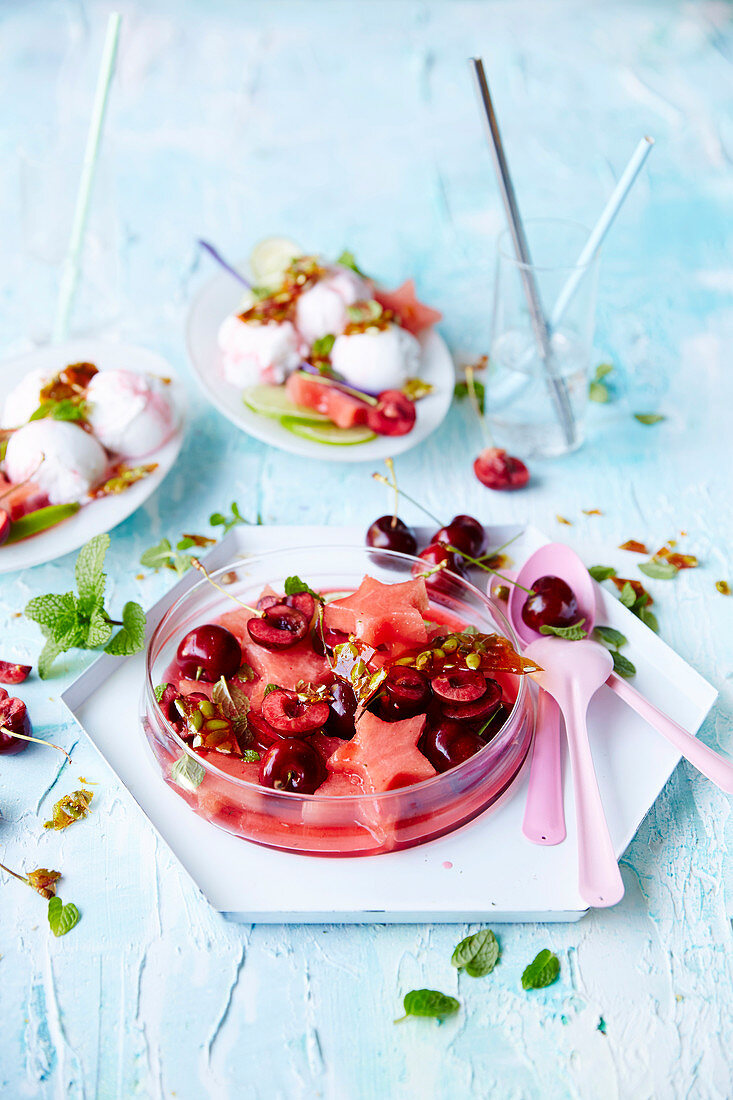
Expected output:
(72, 262)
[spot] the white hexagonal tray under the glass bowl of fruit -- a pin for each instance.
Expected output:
(486, 870)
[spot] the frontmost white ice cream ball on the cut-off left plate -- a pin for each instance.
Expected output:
(62, 459)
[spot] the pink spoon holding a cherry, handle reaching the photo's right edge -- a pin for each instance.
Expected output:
(559, 560)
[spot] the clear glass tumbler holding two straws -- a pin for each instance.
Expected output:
(524, 384)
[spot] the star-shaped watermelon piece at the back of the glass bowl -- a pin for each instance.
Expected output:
(382, 613)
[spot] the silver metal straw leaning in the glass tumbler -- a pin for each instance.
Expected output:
(556, 386)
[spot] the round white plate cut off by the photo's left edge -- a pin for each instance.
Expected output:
(96, 516)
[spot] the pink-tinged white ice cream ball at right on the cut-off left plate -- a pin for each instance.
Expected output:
(130, 414)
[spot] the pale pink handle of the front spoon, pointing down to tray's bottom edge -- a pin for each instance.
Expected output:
(599, 878)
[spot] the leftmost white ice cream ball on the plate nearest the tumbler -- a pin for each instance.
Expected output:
(255, 353)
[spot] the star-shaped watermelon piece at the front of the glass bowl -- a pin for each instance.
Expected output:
(385, 755)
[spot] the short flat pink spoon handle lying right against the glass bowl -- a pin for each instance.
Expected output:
(544, 815)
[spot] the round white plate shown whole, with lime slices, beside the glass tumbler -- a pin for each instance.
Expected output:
(220, 298)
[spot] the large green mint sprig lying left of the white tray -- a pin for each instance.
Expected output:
(80, 620)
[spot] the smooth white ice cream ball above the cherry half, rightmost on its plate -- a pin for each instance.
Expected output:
(377, 360)
